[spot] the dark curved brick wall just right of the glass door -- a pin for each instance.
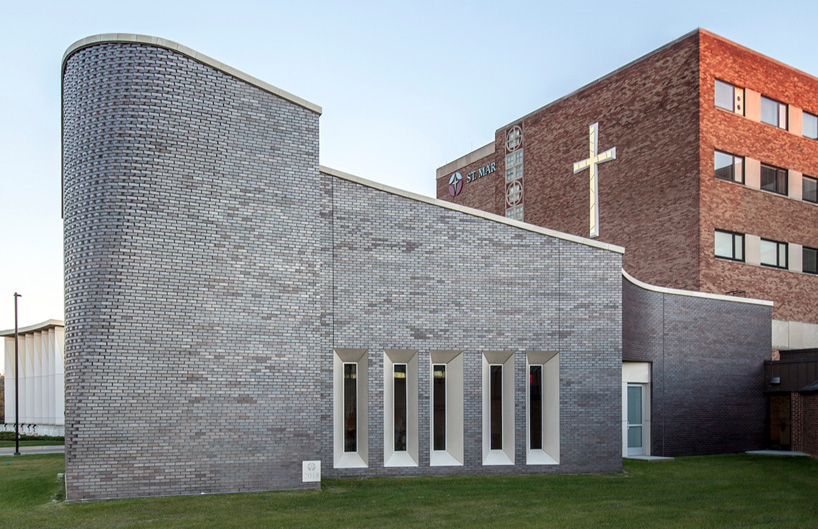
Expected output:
(708, 368)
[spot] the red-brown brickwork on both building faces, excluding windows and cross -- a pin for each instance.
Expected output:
(660, 199)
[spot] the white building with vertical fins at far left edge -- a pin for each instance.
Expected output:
(42, 391)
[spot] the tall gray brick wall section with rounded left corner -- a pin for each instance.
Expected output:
(194, 279)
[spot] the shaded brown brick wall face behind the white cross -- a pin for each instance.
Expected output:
(649, 194)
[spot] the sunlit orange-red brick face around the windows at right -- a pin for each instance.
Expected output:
(733, 207)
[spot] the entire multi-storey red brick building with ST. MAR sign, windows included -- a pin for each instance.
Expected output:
(714, 183)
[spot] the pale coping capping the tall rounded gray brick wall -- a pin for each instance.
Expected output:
(193, 54)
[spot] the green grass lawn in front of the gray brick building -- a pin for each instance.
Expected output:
(700, 492)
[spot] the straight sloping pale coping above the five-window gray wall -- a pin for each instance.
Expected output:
(471, 211)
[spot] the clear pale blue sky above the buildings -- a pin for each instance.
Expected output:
(405, 86)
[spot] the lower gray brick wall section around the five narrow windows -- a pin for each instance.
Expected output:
(410, 275)
